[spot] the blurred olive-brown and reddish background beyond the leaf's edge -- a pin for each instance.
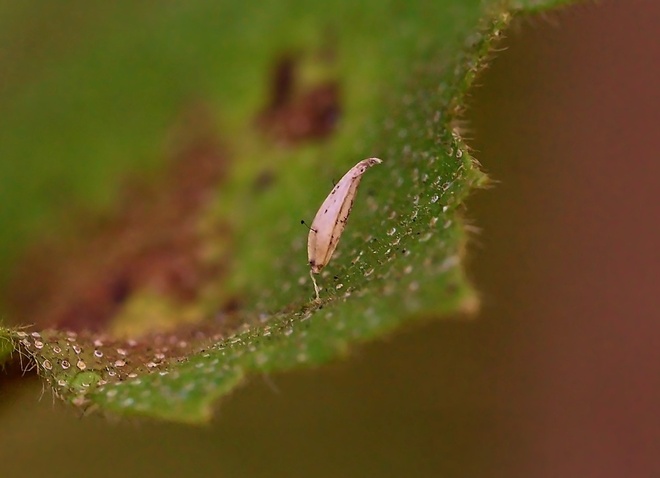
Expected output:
(558, 375)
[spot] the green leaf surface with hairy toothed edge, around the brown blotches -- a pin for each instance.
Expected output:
(403, 71)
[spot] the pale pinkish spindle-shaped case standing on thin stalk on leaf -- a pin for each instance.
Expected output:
(331, 218)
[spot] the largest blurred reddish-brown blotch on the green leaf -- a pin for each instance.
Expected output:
(152, 242)
